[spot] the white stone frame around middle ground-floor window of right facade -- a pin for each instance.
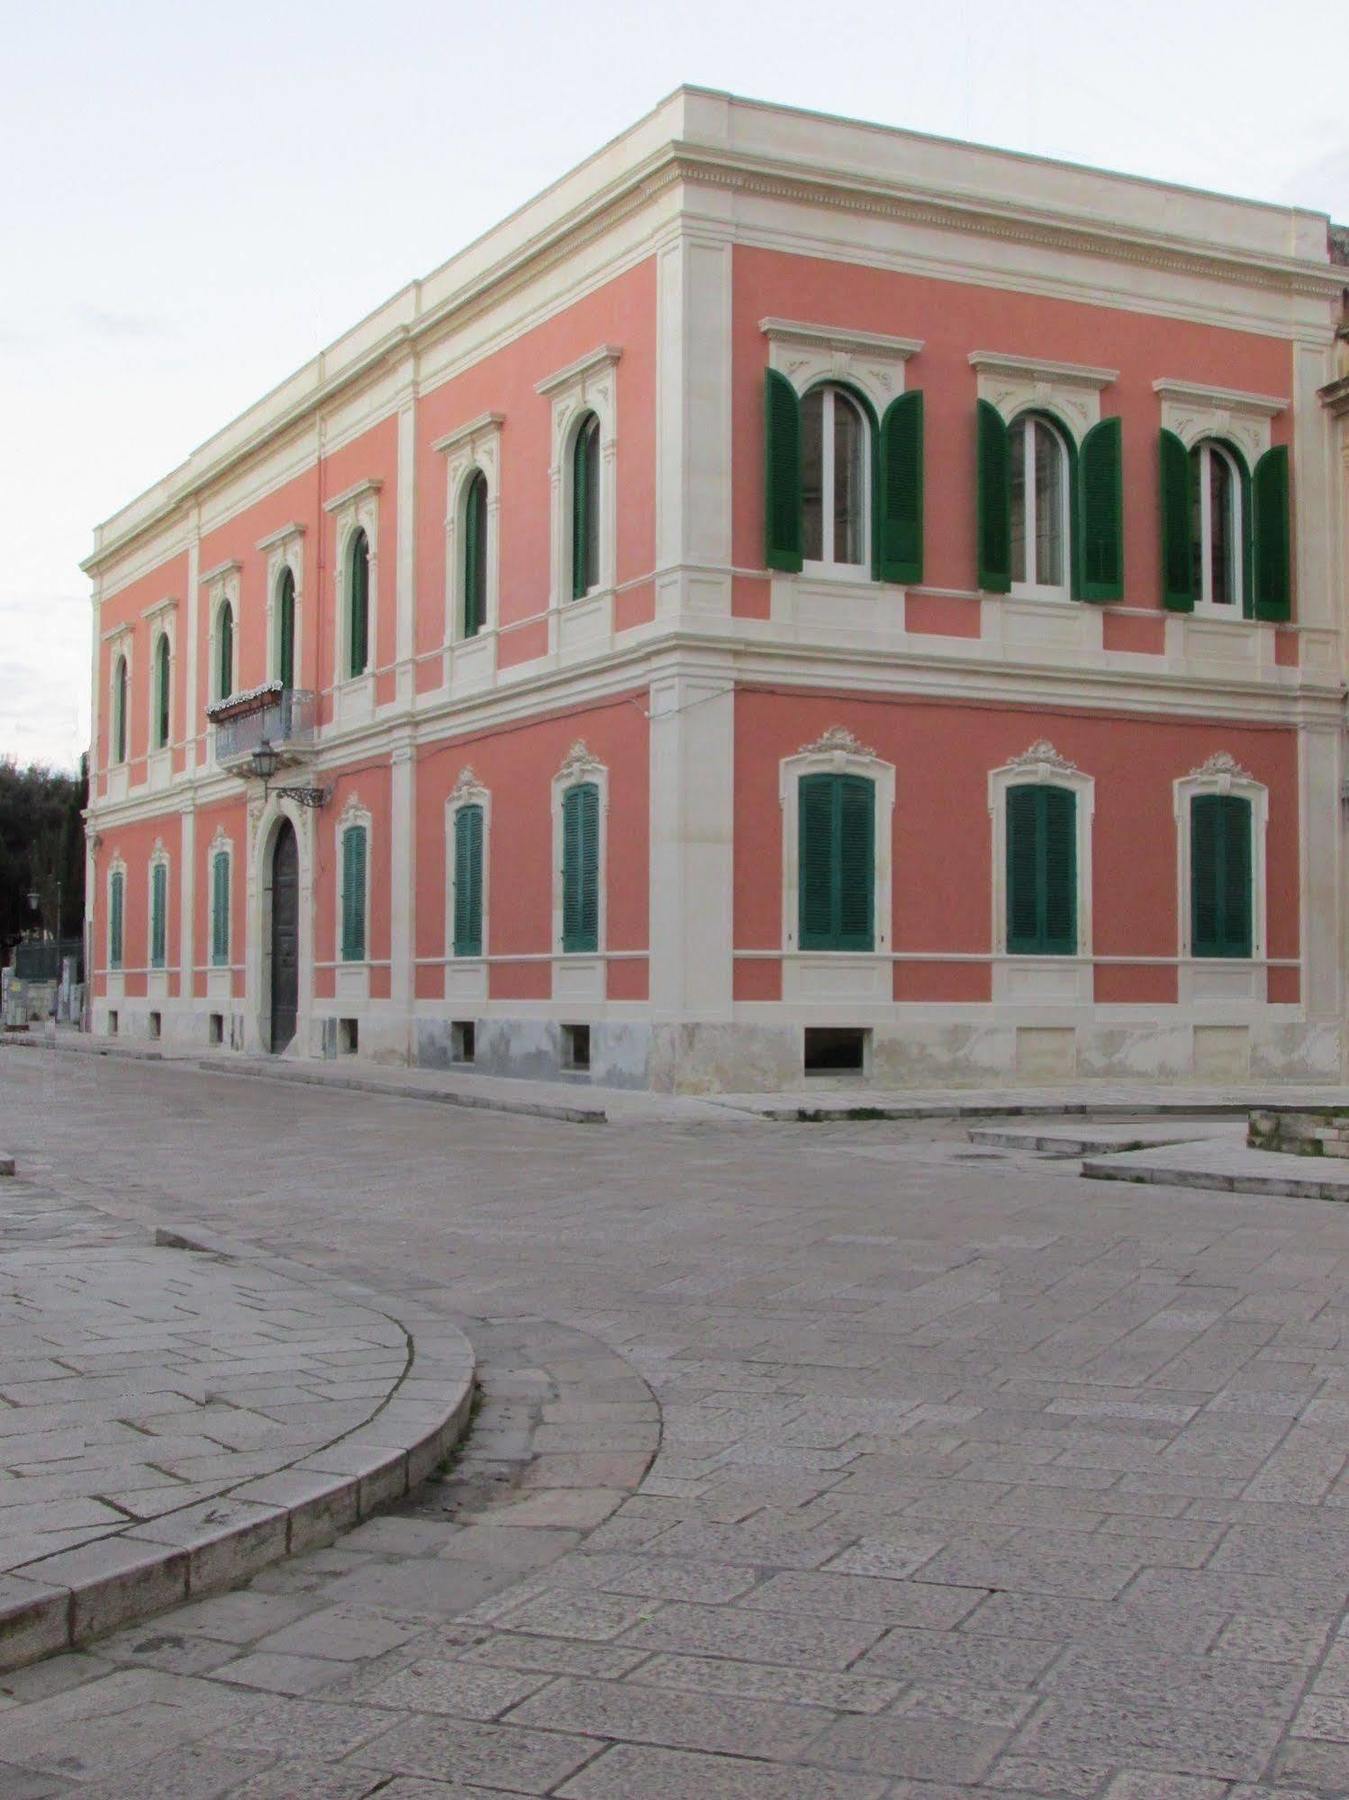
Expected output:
(1042, 978)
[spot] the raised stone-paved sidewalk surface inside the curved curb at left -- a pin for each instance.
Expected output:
(140, 1381)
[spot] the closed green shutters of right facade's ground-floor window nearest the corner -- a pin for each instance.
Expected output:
(837, 856)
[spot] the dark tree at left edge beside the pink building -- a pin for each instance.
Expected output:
(42, 845)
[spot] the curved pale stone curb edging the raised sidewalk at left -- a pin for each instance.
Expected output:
(68, 1599)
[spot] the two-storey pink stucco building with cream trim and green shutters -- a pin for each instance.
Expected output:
(795, 597)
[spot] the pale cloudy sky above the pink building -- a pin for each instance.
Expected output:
(197, 199)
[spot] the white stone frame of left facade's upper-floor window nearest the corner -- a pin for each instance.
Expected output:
(584, 386)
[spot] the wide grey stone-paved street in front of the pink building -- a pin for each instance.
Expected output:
(973, 1479)
